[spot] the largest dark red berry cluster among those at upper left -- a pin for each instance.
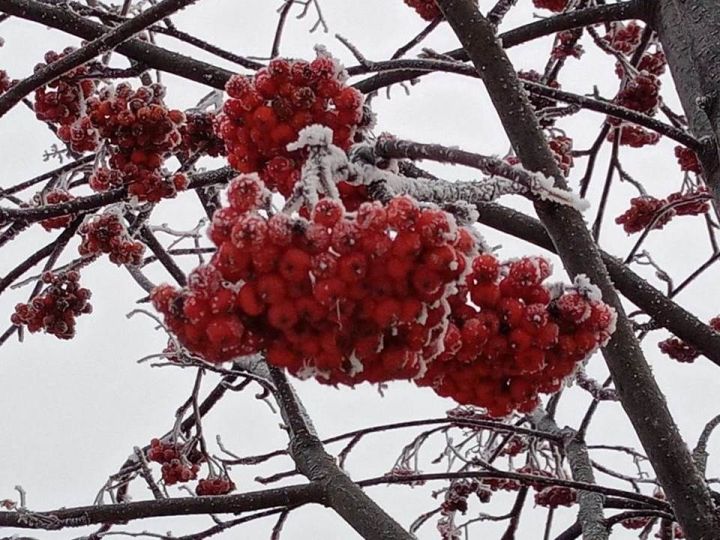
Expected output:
(142, 131)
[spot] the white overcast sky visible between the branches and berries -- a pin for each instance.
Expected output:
(72, 411)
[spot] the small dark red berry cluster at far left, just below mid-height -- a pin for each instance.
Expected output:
(55, 309)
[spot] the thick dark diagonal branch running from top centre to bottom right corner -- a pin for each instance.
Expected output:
(640, 396)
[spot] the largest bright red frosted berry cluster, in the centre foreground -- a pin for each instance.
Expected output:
(348, 298)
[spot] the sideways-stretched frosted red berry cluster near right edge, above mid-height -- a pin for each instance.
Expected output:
(648, 210)
